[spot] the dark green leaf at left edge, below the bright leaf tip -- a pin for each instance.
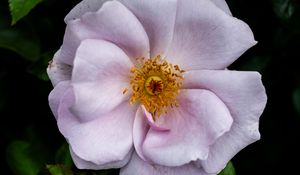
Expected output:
(21, 42)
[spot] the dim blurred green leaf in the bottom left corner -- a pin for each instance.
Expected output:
(20, 159)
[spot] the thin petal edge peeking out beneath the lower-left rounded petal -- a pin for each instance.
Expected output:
(83, 164)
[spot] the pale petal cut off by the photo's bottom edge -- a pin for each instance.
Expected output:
(137, 166)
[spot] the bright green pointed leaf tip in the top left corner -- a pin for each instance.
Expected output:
(20, 8)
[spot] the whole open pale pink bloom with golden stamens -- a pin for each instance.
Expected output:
(144, 86)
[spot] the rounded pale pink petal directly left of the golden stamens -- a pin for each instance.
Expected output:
(99, 78)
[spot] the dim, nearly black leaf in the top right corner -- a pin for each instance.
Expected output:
(283, 9)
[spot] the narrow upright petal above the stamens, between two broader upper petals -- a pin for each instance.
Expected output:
(158, 19)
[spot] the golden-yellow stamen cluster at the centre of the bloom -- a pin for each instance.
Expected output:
(155, 83)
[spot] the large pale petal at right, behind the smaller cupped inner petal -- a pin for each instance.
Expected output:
(244, 95)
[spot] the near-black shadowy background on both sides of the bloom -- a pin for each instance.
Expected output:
(28, 129)
